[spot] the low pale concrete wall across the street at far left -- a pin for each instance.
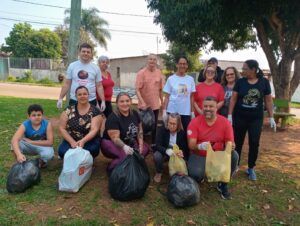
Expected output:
(36, 73)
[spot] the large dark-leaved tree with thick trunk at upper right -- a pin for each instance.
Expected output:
(274, 24)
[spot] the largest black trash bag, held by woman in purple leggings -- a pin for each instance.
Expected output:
(130, 179)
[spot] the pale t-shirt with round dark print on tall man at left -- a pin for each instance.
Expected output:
(84, 75)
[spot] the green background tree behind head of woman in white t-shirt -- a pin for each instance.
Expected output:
(176, 50)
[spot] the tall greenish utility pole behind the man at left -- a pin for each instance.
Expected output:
(74, 31)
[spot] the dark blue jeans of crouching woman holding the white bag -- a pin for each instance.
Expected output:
(93, 146)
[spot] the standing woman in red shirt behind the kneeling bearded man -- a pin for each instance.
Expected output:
(208, 88)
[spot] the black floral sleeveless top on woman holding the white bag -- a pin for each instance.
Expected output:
(78, 126)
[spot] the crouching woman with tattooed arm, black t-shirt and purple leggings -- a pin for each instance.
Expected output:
(123, 132)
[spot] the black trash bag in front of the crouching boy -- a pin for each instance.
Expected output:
(22, 176)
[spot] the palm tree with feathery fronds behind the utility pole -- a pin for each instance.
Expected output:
(93, 24)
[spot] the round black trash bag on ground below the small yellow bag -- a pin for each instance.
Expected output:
(183, 191)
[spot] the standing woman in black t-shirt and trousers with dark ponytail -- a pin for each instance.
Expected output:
(249, 95)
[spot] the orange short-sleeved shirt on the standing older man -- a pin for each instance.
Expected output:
(150, 84)
